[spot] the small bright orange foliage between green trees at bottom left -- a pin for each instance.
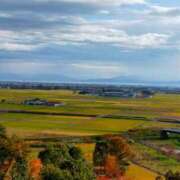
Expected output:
(35, 168)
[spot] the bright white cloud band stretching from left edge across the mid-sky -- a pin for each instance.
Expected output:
(81, 33)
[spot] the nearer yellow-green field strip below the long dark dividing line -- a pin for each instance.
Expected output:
(68, 124)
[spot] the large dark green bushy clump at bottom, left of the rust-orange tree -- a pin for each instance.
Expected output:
(65, 162)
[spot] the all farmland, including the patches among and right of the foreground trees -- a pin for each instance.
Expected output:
(86, 115)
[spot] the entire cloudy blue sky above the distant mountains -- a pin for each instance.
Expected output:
(72, 40)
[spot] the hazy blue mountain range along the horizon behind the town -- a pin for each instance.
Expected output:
(126, 80)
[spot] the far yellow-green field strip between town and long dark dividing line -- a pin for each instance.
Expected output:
(159, 105)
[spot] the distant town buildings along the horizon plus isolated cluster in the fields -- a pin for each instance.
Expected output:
(121, 91)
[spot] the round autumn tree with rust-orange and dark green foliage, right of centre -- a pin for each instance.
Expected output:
(112, 152)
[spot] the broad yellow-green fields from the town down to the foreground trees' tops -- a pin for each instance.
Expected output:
(79, 110)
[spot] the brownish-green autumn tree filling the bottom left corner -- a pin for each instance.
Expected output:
(13, 154)
